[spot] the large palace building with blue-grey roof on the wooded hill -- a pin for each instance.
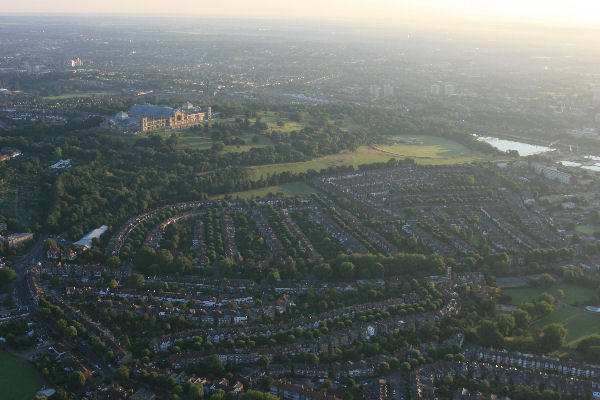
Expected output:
(148, 117)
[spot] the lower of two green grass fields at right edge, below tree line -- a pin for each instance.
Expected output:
(579, 323)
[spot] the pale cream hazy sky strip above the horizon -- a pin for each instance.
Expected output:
(570, 12)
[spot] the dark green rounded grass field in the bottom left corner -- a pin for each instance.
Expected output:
(17, 380)
